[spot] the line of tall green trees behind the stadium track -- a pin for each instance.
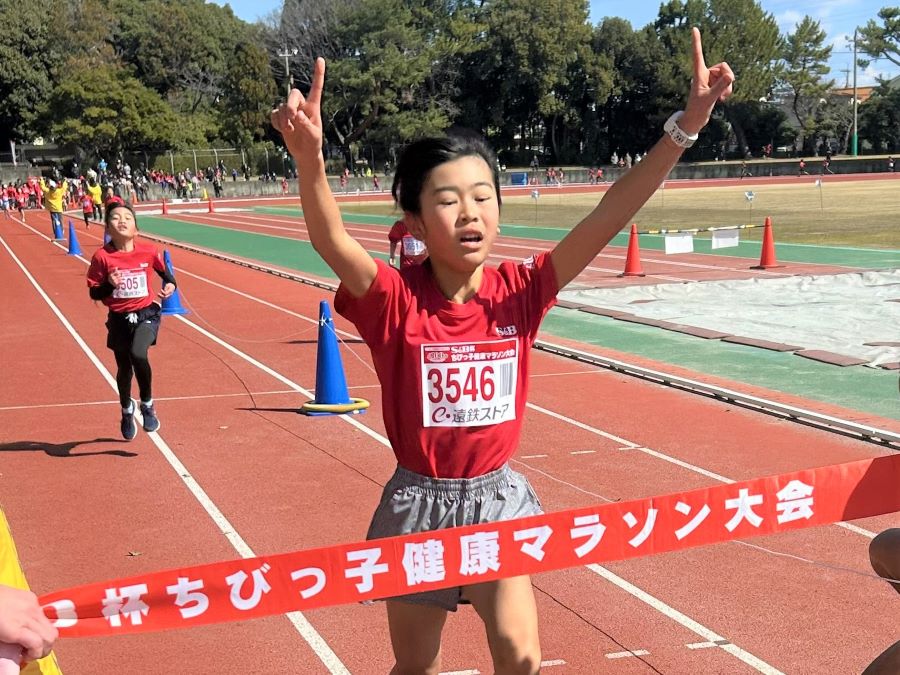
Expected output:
(536, 78)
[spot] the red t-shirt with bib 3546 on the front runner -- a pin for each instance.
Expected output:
(454, 377)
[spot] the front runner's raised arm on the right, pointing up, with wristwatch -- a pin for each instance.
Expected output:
(631, 191)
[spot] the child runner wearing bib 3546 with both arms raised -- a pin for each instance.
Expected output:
(453, 426)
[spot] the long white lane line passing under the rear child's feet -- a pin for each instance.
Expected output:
(312, 637)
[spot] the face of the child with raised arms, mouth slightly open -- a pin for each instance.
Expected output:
(459, 214)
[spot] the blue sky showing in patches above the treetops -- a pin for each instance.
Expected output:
(837, 17)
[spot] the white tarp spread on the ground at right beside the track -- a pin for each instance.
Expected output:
(835, 313)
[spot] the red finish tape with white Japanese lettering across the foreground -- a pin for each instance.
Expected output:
(248, 588)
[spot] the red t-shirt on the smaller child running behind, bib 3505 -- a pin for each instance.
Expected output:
(135, 291)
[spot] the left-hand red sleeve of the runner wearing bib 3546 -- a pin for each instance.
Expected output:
(376, 315)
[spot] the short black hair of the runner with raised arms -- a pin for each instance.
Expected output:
(419, 158)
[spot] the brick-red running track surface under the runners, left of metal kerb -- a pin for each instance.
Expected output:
(85, 506)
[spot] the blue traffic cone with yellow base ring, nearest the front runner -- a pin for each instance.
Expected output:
(332, 397)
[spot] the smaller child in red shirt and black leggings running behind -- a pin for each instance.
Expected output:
(119, 276)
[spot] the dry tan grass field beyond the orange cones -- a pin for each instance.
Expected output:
(864, 214)
